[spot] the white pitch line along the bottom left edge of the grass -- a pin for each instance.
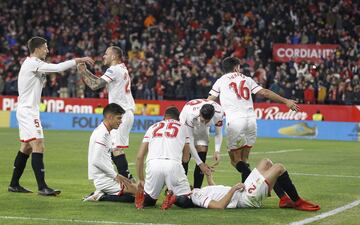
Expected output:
(75, 220)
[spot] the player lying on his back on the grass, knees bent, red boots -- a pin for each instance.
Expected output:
(249, 194)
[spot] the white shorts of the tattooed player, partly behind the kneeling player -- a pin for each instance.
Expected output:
(120, 136)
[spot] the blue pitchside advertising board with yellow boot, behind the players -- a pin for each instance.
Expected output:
(317, 130)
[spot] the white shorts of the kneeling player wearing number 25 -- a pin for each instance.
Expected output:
(165, 171)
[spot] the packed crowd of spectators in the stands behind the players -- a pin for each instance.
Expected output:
(174, 48)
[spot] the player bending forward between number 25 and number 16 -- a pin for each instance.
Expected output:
(198, 115)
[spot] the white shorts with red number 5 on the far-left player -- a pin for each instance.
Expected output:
(29, 124)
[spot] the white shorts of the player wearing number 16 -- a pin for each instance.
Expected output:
(241, 132)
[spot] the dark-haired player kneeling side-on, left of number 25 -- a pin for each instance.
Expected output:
(109, 185)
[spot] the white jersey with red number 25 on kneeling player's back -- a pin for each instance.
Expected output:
(166, 140)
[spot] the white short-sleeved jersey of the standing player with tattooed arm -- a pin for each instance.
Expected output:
(119, 86)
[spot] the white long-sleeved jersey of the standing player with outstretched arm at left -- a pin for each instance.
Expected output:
(32, 77)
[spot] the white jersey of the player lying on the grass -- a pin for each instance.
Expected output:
(202, 197)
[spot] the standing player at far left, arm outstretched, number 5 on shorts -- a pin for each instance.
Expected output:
(31, 79)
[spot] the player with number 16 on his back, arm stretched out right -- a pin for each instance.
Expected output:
(234, 91)
